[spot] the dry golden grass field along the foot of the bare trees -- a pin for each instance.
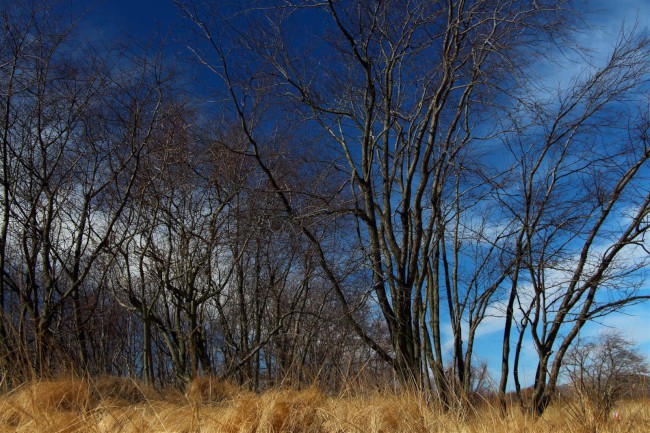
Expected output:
(115, 405)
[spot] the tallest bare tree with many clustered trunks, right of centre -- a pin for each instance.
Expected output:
(398, 96)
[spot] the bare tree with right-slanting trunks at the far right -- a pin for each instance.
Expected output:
(578, 198)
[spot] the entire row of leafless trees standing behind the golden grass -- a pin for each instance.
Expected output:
(352, 199)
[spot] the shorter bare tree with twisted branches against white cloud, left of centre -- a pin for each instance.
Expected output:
(171, 264)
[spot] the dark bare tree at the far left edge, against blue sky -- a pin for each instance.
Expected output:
(73, 131)
